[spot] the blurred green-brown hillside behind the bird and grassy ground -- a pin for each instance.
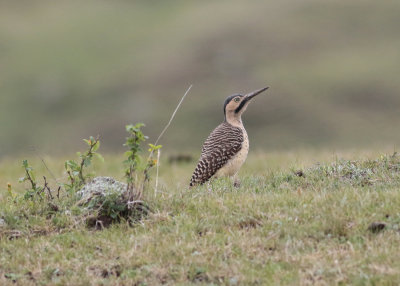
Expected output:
(71, 69)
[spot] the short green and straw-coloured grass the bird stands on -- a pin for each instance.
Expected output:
(280, 227)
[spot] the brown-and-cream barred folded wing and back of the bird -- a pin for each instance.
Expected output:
(222, 144)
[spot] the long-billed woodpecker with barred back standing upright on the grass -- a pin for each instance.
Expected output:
(226, 148)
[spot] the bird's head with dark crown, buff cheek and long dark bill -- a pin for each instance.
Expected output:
(236, 104)
